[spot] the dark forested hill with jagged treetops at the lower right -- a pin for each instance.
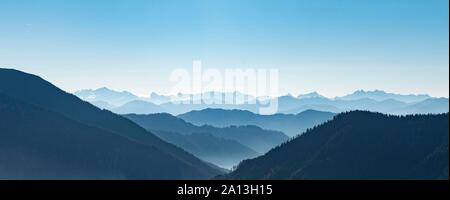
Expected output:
(359, 145)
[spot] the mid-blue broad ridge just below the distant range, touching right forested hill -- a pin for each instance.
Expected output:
(289, 124)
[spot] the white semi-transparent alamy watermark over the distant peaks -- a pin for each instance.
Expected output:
(226, 86)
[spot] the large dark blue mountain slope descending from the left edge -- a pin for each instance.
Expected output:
(50, 134)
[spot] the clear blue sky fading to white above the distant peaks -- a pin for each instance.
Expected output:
(330, 46)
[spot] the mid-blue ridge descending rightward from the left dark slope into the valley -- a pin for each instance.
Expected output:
(253, 137)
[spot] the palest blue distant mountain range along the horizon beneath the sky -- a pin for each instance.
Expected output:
(376, 101)
